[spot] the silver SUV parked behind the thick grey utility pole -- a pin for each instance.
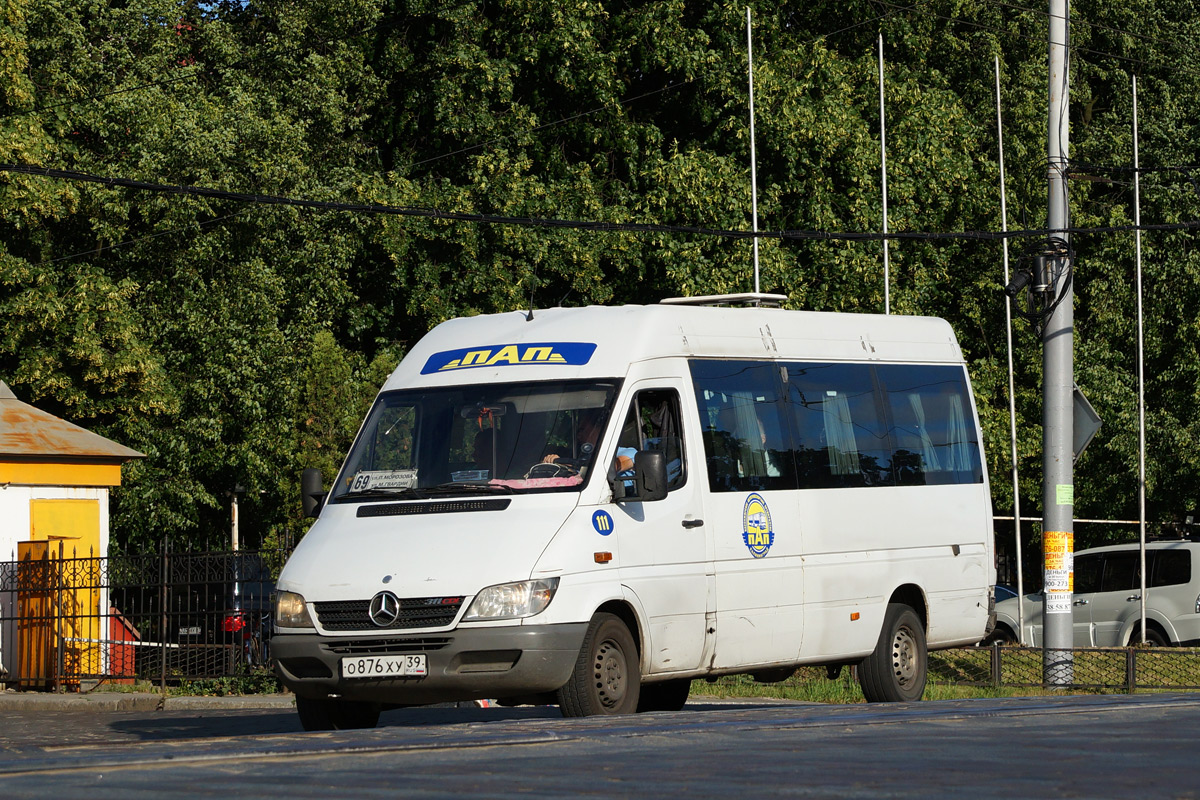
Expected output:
(1107, 610)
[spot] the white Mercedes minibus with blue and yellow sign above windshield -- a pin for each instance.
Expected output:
(596, 507)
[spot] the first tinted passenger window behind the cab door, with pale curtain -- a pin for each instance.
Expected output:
(746, 441)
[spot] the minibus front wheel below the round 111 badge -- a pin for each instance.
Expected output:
(608, 678)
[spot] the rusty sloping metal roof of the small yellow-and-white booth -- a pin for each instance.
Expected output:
(27, 432)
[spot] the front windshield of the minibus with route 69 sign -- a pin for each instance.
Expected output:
(465, 441)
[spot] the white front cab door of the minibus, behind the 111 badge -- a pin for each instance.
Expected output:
(664, 545)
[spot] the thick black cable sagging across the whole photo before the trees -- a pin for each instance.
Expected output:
(577, 225)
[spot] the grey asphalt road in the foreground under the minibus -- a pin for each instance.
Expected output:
(1090, 747)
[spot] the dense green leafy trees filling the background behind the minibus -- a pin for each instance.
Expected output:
(238, 342)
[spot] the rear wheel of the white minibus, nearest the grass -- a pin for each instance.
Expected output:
(897, 671)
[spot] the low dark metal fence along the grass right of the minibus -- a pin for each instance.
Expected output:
(1102, 669)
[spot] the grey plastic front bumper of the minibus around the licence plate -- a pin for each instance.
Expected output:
(464, 664)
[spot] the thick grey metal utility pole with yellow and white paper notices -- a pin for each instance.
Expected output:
(1058, 360)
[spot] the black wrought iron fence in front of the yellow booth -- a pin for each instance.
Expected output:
(161, 617)
